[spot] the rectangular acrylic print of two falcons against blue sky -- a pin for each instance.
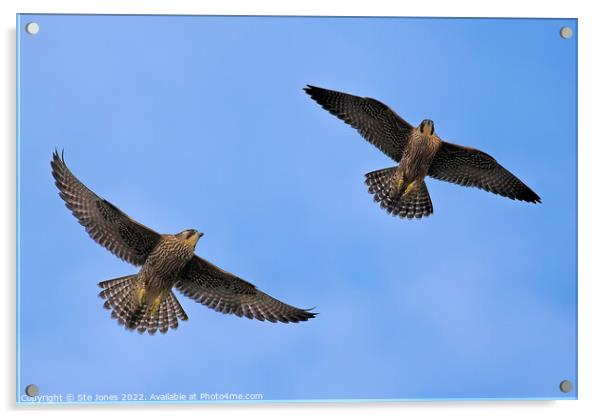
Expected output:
(201, 123)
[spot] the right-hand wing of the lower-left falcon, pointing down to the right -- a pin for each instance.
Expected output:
(226, 293)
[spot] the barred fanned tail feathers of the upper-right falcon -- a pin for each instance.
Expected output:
(415, 204)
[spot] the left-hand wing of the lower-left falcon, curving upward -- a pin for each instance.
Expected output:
(103, 221)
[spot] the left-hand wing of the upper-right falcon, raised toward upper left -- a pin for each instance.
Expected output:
(374, 120)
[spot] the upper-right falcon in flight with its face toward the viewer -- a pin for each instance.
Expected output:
(420, 152)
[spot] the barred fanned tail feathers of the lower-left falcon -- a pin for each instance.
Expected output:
(122, 298)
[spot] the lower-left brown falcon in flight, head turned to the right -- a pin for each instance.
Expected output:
(145, 301)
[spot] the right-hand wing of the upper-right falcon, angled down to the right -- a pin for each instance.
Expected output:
(470, 167)
